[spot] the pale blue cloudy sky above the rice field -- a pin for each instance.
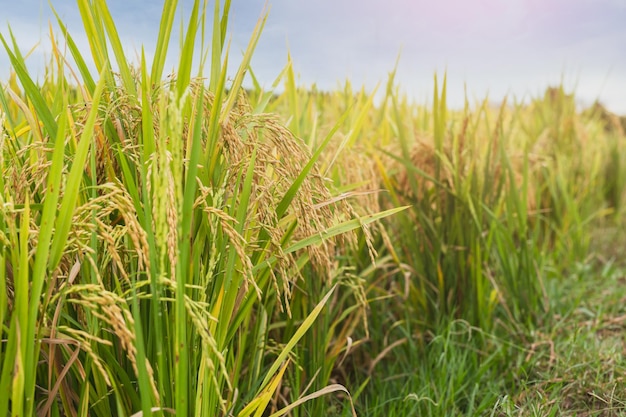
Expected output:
(487, 48)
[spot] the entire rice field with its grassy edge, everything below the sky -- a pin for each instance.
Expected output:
(184, 245)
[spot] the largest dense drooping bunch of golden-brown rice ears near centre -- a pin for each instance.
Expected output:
(280, 159)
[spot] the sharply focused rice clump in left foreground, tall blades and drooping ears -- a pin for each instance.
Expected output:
(153, 232)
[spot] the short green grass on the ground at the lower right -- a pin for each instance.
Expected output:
(571, 365)
